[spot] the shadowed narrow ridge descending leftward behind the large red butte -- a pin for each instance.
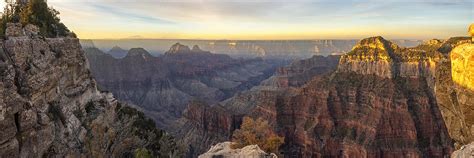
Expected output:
(203, 125)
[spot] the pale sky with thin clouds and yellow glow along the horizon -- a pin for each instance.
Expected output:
(265, 19)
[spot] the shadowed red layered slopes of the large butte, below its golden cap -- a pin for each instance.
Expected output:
(359, 116)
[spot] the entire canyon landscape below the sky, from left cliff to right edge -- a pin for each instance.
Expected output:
(65, 97)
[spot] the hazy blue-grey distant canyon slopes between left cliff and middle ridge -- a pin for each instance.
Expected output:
(162, 86)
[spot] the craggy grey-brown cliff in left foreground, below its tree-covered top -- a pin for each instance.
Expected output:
(50, 106)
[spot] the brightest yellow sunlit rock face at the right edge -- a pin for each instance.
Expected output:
(462, 62)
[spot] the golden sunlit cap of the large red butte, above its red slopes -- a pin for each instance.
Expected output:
(377, 56)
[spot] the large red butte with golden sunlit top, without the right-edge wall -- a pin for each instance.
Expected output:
(379, 103)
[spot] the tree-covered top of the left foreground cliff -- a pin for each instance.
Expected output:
(34, 12)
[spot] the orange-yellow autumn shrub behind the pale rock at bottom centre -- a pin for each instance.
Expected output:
(257, 132)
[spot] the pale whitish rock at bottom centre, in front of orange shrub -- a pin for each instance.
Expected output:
(224, 150)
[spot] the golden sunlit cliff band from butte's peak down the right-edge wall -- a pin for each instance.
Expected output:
(445, 66)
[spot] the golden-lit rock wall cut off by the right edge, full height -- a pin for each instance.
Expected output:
(455, 92)
